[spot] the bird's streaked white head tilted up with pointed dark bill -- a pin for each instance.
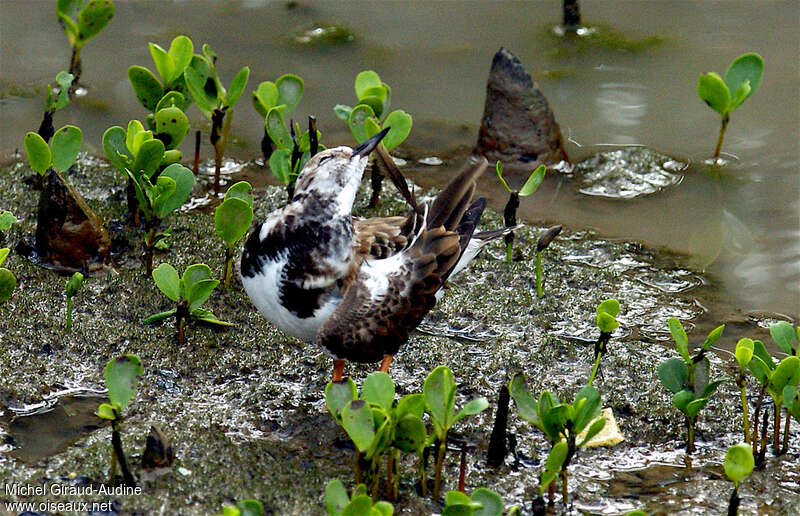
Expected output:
(337, 171)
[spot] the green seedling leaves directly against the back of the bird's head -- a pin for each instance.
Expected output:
(292, 152)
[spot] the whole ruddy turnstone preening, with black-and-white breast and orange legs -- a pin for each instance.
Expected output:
(358, 286)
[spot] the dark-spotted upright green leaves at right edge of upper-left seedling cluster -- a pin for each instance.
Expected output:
(205, 87)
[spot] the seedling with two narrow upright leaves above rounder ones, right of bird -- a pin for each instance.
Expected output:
(687, 377)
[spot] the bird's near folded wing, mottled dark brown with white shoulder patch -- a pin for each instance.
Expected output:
(364, 328)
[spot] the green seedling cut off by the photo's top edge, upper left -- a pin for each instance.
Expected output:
(81, 23)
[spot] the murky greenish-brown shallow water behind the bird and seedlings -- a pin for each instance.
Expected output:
(637, 86)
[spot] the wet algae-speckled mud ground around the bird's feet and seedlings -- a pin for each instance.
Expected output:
(244, 407)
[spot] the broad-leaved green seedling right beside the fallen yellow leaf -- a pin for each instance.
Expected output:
(560, 420)
